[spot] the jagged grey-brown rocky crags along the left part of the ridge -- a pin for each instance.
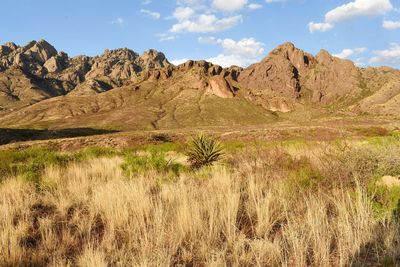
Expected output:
(86, 75)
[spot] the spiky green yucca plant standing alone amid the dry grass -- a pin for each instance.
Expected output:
(203, 151)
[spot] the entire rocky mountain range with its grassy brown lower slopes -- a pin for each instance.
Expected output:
(43, 87)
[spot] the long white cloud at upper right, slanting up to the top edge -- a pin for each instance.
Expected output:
(351, 10)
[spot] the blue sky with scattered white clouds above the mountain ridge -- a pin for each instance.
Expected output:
(223, 31)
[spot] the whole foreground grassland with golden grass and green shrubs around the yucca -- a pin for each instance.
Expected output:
(264, 204)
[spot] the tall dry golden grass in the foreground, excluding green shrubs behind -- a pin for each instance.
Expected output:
(257, 211)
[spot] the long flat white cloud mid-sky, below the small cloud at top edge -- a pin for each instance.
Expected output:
(206, 23)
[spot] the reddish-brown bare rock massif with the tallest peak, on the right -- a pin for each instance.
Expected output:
(293, 75)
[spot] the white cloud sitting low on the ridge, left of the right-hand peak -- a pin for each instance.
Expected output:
(240, 53)
